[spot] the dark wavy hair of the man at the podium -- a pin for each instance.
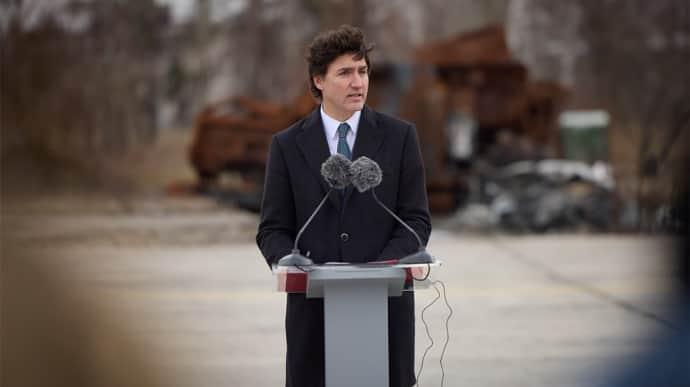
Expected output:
(329, 45)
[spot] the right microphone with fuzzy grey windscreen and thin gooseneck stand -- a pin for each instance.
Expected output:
(366, 174)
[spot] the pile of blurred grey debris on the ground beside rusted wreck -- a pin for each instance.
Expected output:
(537, 196)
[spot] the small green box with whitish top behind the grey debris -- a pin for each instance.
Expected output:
(584, 135)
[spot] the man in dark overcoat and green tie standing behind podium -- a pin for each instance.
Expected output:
(350, 227)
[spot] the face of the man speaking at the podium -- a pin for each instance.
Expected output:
(344, 86)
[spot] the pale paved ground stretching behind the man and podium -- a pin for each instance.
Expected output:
(190, 287)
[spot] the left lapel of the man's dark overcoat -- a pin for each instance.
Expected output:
(311, 141)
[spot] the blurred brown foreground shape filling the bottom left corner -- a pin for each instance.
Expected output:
(54, 335)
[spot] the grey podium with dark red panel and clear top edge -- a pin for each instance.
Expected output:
(355, 315)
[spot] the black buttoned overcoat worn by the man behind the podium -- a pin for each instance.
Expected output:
(352, 228)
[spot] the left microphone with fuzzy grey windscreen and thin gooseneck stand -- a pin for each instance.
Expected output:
(336, 171)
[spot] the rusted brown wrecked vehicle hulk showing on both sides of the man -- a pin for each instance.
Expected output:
(473, 74)
